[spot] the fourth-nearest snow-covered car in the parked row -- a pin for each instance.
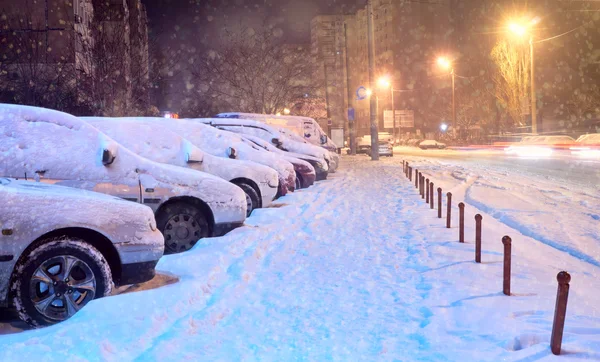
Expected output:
(230, 145)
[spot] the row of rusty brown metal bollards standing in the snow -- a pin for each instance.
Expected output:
(425, 188)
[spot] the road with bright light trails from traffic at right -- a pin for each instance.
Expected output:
(561, 167)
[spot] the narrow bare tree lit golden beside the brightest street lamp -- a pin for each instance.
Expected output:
(512, 78)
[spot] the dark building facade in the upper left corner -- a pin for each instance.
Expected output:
(92, 54)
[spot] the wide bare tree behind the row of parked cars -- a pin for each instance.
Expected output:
(253, 72)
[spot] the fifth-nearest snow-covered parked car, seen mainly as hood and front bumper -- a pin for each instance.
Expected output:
(305, 166)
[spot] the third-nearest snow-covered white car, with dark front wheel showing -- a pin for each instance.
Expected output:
(157, 143)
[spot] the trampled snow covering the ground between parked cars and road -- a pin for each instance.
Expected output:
(359, 268)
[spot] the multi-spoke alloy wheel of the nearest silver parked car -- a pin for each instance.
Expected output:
(57, 279)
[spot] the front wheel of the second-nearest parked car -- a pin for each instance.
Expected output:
(182, 225)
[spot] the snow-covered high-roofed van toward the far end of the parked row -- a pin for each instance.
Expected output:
(305, 127)
